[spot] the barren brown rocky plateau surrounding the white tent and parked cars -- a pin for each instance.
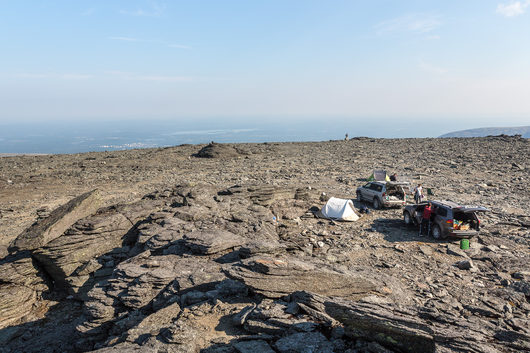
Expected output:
(217, 249)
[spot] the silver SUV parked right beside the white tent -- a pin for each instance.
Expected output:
(384, 193)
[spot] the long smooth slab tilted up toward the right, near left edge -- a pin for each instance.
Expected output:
(59, 220)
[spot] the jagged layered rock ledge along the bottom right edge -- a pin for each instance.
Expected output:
(415, 329)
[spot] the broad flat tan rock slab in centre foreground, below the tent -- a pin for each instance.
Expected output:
(278, 277)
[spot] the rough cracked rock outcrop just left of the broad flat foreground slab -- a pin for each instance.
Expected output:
(145, 282)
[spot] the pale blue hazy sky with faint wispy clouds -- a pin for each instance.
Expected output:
(79, 60)
